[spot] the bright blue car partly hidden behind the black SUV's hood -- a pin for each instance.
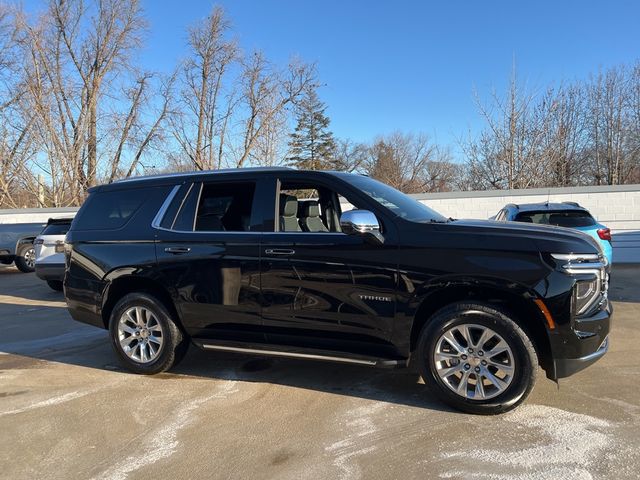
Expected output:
(565, 214)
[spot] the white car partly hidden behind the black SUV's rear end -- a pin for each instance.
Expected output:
(49, 250)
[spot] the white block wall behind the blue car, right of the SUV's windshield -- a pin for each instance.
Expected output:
(617, 207)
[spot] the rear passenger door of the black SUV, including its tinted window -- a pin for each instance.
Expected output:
(208, 250)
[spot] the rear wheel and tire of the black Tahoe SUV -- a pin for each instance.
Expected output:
(157, 328)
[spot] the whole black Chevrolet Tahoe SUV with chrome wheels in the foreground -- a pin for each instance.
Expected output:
(335, 266)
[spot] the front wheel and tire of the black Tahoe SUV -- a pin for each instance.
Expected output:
(506, 377)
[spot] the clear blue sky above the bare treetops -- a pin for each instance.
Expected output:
(413, 65)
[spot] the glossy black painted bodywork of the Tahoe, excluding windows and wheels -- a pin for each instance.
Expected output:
(337, 292)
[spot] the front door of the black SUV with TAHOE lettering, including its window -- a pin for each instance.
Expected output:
(323, 288)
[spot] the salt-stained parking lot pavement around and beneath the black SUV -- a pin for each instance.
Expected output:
(68, 410)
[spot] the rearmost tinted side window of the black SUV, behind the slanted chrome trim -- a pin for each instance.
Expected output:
(110, 210)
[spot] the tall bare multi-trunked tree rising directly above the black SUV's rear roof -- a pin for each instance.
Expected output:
(73, 55)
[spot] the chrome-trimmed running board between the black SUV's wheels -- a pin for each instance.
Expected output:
(293, 352)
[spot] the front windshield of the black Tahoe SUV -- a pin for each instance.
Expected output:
(399, 203)
